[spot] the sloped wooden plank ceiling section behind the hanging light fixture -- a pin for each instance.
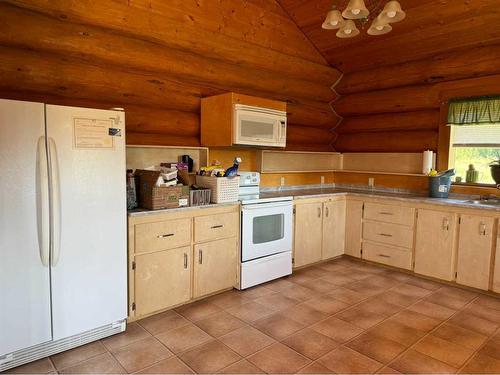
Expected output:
(431, 27)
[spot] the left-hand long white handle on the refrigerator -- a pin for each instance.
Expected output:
(43, 209)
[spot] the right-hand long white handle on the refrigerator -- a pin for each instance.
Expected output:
(56, 204)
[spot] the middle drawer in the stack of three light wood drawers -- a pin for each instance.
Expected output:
(388, 234)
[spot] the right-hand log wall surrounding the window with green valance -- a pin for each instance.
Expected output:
(397, 108)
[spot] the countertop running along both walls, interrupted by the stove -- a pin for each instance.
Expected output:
(322, 192)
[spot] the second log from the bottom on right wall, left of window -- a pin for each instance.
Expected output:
(419, 120)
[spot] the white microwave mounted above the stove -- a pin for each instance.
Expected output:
(255, 126)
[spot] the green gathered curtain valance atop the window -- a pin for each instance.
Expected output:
(474, 111)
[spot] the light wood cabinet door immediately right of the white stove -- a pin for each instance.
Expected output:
(308, 233)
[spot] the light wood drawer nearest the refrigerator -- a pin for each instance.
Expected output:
(162, 235)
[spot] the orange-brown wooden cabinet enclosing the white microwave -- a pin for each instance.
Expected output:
(217, 116)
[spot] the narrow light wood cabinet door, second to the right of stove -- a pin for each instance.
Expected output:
(333, 229)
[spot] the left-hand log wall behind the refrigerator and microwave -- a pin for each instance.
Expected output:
(157, 59)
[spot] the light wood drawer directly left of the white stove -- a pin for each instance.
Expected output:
(213, 227)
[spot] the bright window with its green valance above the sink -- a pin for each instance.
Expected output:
(474, 136)
